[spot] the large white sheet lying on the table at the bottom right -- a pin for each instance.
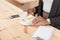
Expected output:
(44, 32)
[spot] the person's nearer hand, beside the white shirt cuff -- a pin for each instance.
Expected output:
(40, 21)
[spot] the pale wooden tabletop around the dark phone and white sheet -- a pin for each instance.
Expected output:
(11, 29)
